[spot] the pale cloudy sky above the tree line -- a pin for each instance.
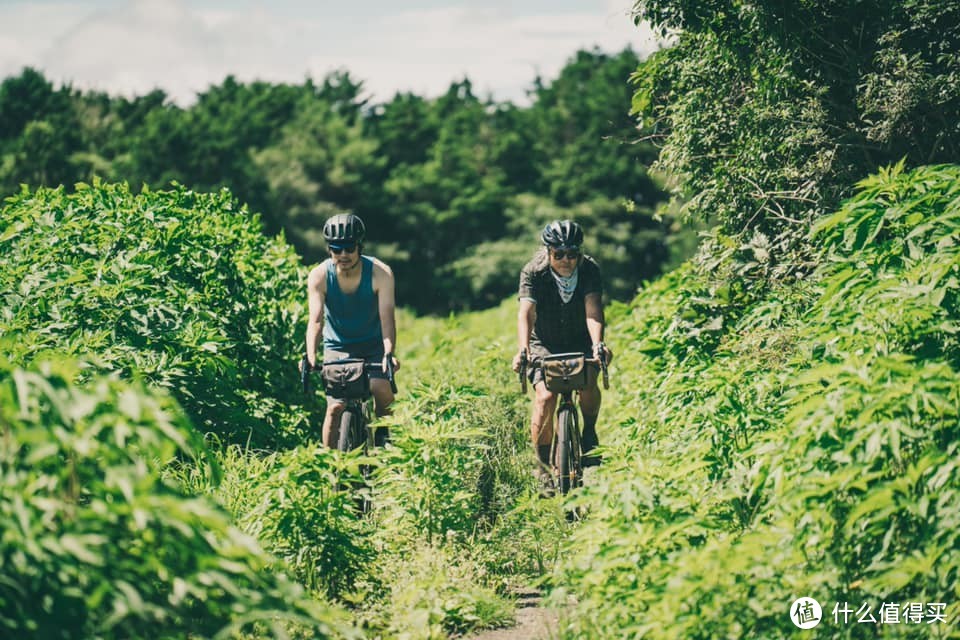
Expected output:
(183, 46)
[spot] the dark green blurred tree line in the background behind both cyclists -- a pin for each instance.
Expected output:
(453, 189)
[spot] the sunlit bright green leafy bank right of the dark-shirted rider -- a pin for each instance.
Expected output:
(812, 452)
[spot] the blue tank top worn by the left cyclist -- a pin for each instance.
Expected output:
(351, 322)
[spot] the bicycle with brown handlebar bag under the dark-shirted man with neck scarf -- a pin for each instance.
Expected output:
(566, 374)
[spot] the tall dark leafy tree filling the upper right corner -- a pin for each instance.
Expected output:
(768, 112)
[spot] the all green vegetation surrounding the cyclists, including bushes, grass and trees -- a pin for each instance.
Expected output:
(783, 421)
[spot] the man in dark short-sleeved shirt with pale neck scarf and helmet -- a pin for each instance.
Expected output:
(561, 311)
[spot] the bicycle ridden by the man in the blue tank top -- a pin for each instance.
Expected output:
(349, 379)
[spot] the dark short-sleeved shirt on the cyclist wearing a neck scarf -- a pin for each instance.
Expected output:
(560, 327)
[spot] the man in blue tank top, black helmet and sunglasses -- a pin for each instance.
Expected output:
(350, 300)
